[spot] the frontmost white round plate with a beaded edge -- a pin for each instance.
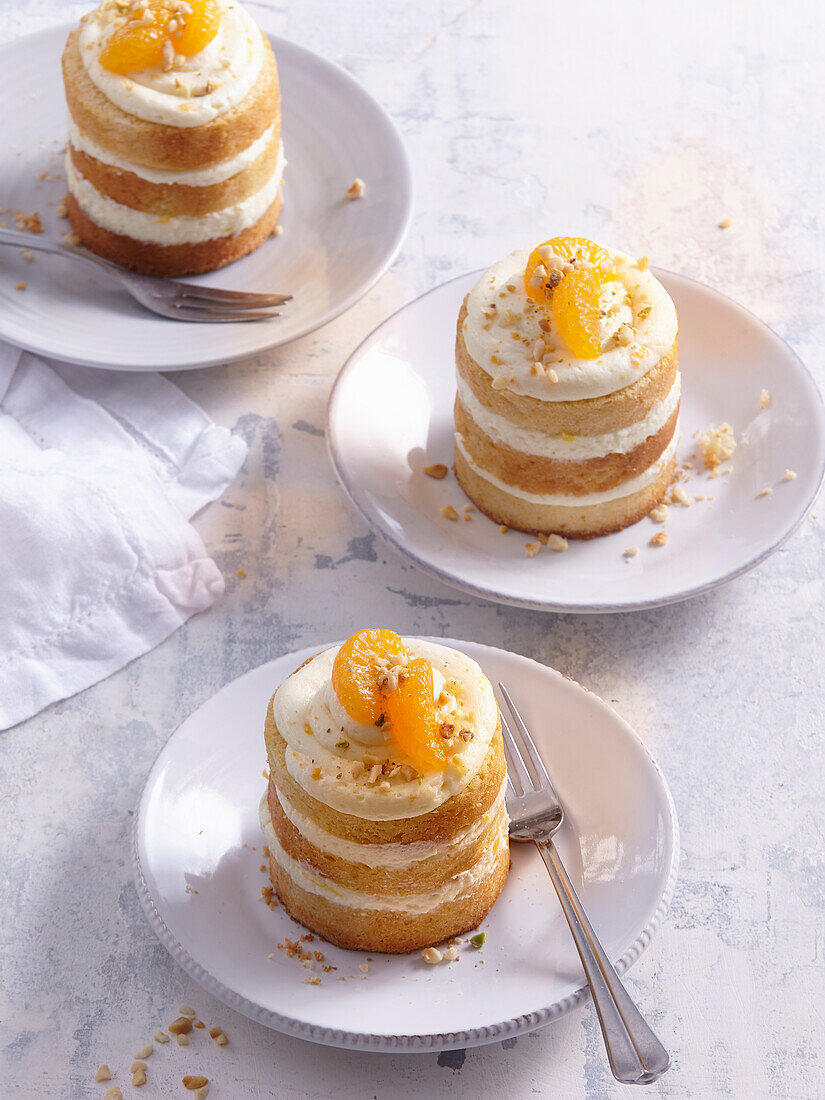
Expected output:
(197, 856)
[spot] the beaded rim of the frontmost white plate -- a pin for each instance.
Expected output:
(410, 1043)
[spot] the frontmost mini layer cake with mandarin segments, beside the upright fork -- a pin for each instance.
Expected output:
(386, 813)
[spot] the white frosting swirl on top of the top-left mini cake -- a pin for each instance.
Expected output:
(232, 62)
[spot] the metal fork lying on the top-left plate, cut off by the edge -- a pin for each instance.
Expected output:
(183, 302)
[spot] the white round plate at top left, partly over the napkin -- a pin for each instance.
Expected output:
(331, 254)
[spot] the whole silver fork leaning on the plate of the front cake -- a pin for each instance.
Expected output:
(636, 1055)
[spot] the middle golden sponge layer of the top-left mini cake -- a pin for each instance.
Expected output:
(171, 201)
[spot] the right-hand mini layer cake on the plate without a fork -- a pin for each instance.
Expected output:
(567, 411)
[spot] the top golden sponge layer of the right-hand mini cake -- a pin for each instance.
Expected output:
(593, 416)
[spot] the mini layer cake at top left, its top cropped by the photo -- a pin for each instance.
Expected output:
(175, 161)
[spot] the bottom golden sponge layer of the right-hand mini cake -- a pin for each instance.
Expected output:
(585, 523)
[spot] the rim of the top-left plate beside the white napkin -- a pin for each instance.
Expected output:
(406, 190)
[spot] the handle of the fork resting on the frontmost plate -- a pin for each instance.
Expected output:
(636, 1055)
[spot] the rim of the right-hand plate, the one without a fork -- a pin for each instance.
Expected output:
(554, 606)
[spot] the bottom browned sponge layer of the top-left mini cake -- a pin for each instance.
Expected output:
(171, 260)
